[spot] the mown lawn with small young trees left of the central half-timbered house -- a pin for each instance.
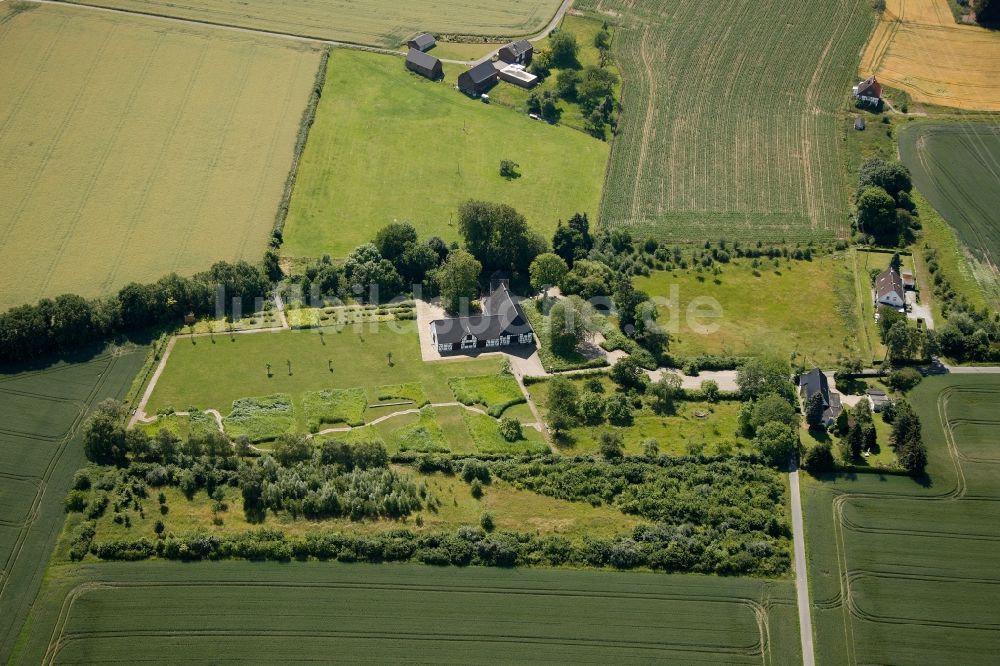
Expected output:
(210, 374)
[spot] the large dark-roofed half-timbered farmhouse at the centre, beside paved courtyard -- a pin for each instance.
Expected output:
(501, 324)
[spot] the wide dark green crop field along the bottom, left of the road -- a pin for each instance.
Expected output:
(299, 612)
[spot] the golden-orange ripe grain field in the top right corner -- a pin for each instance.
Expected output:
(918, 47)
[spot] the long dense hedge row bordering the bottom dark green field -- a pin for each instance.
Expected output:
(660, 547)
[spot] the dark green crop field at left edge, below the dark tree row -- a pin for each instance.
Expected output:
(40, 412)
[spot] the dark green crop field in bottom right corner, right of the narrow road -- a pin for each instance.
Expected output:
(905, 571)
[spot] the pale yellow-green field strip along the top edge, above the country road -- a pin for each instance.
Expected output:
(375, 22)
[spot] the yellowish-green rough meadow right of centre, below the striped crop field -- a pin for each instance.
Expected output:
(805, 308)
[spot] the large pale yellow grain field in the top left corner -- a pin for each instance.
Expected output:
(131, 149)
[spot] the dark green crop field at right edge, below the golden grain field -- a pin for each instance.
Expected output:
(956, 166)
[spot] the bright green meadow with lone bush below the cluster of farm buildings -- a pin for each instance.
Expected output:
(426, 148)
